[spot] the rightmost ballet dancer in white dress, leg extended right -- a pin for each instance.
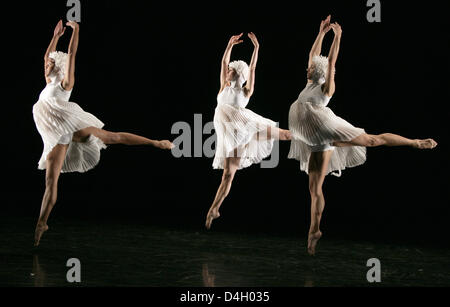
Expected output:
(323, 142)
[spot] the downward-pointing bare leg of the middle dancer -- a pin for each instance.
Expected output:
(230, 167)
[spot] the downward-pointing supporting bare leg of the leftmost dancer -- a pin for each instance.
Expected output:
(55, 160)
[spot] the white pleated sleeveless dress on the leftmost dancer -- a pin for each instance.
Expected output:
(57, 119)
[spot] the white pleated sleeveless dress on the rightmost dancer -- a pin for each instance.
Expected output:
(314, 127)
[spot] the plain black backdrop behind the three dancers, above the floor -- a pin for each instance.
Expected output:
(142, 66)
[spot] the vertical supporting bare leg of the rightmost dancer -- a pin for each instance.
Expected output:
(318, 167)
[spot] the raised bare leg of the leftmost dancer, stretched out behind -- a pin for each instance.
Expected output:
(125, 138)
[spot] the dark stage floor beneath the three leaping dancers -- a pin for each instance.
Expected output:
(126, 254)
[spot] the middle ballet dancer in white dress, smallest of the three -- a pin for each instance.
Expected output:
(243, 137)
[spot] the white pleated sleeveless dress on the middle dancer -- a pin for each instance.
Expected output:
(236, 129)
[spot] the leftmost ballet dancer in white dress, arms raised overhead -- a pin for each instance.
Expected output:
(72, 137)
